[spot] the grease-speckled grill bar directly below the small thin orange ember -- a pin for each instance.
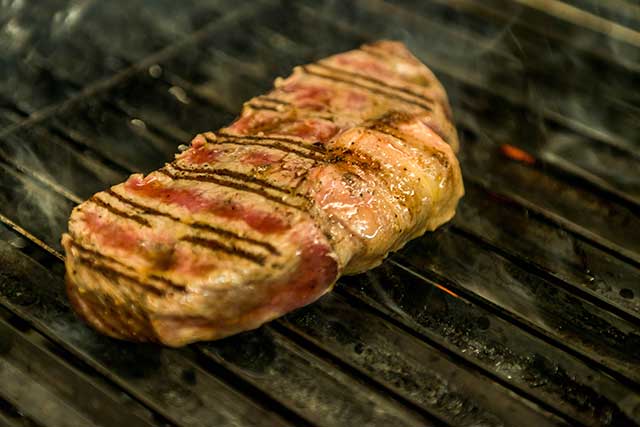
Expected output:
(476, 334)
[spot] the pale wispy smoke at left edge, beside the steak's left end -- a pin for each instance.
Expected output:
(43, 177)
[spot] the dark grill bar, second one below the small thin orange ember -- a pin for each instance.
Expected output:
(352, 334)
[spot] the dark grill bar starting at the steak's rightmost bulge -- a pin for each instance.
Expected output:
(580, 267)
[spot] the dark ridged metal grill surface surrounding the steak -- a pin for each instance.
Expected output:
(524, 311)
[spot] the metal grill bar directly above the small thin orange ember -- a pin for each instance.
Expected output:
(506, 286)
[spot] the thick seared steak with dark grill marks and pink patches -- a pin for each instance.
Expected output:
(342, 162)
